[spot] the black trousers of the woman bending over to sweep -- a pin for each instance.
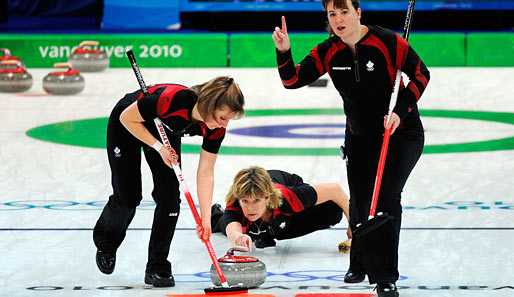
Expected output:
(124, 153)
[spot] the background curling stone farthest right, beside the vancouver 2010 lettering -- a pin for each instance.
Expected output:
(89, 60)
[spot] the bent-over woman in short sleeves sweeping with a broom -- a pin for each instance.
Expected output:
(203, 110)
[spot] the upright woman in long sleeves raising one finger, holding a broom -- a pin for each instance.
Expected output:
(362, 61)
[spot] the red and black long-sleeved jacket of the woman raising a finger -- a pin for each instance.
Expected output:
(364, 80)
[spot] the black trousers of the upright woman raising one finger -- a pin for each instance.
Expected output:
(376, 253)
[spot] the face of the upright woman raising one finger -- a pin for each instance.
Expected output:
(344, 22)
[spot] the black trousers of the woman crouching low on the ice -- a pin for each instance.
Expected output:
(318, 217)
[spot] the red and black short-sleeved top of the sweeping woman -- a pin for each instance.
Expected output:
(173, 104)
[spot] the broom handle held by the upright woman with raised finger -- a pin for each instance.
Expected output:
(392, 104)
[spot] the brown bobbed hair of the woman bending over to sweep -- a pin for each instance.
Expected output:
(216, 93)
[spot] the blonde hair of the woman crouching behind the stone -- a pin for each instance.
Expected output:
(254, 182)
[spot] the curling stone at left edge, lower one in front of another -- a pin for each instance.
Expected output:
(14, 77)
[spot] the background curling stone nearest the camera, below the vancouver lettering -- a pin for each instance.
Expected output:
(63, 82)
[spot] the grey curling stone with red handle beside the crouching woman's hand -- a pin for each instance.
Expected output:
(240, 270)
